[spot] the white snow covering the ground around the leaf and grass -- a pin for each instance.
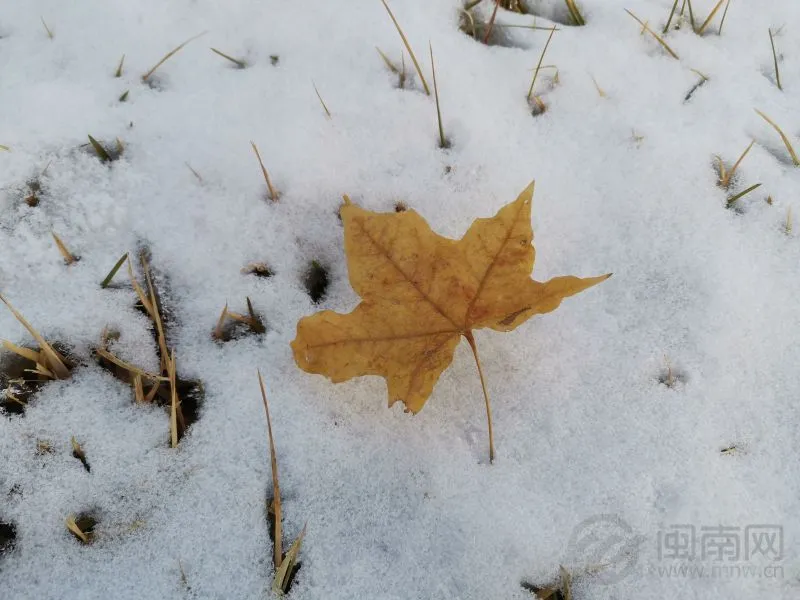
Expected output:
(665, 396)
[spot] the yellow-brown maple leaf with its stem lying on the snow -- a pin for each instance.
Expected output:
(421, 292)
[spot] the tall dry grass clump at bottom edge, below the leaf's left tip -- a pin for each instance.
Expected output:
(286, 565)
